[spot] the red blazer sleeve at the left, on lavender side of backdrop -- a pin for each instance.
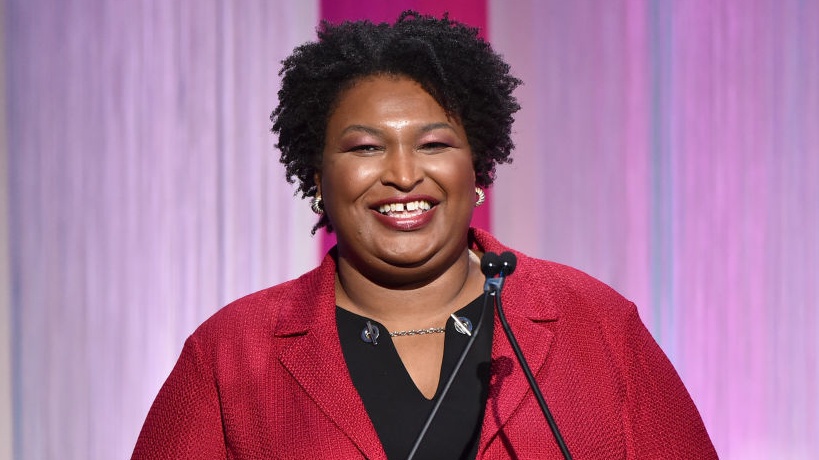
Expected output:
(185, 418)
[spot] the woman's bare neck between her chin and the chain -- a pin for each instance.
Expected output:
(420, 304)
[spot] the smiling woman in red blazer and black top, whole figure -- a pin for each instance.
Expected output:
(393, 130)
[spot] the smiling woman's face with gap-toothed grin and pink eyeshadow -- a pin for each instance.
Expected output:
(396, 178)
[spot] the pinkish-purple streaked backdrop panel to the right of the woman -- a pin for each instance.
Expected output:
(671, 148)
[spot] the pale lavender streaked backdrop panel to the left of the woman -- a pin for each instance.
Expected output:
(145, 193)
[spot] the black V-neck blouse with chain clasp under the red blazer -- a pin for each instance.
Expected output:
(397, 408)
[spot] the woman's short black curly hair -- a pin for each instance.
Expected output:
(447, 58)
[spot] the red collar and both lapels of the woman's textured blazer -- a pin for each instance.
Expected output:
(315, 360)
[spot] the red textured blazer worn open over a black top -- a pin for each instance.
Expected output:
(265, 378)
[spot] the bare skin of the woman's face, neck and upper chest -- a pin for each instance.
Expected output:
(389, 144)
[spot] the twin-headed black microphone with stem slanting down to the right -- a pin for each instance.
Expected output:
(505, 264)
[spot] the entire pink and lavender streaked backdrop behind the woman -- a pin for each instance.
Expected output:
(669, 148)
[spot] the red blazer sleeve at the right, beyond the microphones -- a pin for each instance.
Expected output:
(663, 421)
